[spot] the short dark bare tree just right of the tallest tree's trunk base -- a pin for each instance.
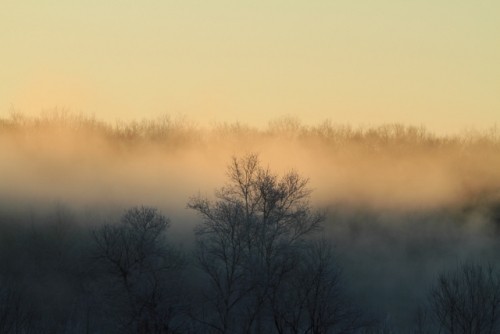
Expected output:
(312, 299)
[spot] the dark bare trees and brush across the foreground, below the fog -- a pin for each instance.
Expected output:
(258, 266)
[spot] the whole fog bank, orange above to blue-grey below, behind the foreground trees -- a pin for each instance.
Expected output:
(402, 204)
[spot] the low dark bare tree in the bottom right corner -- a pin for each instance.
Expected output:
(467, 300)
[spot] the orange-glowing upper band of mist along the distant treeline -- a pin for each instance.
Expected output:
(80, 159)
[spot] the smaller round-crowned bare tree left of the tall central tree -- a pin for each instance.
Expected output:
(141, 271)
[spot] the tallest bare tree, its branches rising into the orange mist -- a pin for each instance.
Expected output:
(248, 242)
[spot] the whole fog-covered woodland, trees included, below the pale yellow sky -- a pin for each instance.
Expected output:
(114, 228)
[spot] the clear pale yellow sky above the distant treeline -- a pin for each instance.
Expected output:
(432, 62)
